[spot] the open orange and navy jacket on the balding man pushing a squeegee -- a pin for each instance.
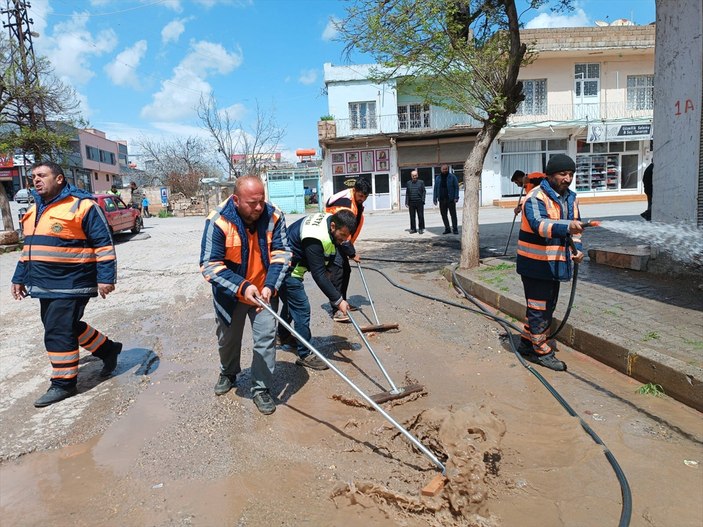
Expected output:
(224, 254)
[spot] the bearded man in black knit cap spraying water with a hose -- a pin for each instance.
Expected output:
(550, 217)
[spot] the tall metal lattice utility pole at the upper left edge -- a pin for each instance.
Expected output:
(29, 108)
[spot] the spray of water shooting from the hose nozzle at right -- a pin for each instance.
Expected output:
(683, 241)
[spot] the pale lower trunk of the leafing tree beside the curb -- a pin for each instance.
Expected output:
(472, 185)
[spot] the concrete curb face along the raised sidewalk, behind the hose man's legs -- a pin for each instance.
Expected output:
(679, 380)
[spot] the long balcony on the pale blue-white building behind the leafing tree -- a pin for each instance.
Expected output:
(395, 124)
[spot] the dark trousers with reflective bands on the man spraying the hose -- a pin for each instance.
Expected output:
(541, 298)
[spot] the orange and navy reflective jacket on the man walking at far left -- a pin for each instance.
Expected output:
(68, 248)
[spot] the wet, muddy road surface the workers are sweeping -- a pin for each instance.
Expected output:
(153, 445)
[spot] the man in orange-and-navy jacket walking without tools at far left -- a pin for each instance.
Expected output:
(67, 259)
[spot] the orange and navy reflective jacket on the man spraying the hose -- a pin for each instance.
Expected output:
(543, 249)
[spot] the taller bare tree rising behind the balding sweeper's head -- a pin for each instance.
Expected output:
(256, 146)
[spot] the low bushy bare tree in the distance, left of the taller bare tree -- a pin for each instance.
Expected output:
(180, 163)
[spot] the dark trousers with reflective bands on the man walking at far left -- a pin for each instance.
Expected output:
(63, 333)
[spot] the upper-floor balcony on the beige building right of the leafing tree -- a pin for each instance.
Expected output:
(582, 112)
